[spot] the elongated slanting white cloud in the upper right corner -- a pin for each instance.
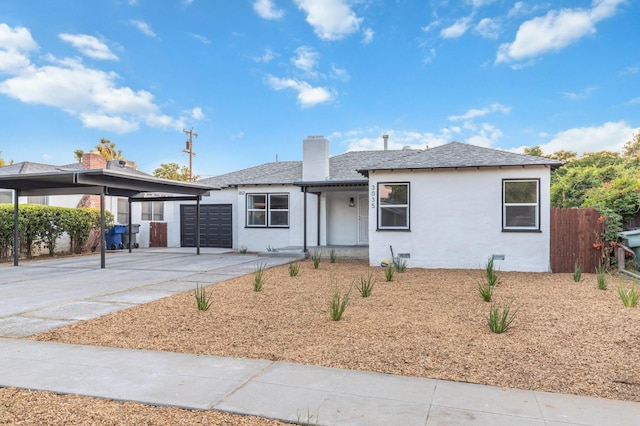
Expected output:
(555, 31)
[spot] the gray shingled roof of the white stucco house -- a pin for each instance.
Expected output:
(351, 166)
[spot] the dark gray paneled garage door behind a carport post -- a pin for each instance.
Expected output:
(215, 225)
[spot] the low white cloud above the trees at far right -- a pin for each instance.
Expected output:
(610, 136)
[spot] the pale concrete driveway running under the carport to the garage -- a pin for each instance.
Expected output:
(44, 294)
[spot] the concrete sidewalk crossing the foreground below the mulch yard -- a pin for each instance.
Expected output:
(290, 392)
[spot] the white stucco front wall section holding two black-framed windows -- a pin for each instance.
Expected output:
(456, 221)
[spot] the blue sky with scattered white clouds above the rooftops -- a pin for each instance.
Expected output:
(255, 77)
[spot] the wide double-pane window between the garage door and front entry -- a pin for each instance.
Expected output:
(268, 210)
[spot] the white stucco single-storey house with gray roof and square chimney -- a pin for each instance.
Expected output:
(453, 206)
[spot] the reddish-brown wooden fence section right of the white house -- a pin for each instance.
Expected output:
(573, 233)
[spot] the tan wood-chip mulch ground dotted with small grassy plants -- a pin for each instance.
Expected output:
(567, 337)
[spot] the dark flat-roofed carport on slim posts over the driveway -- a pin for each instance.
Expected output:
(135, 187)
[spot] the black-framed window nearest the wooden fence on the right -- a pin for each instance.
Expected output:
(521, 205)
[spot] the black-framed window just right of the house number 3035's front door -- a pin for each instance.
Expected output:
(393, 206)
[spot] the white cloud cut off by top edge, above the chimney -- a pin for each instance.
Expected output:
(330, 19)
